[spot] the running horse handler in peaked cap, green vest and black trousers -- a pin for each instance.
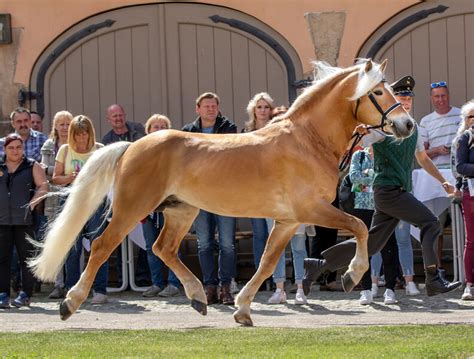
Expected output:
(393, 202)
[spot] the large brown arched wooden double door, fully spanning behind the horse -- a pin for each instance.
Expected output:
(159, 58)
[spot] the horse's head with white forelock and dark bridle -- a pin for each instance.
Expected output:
(375, 104)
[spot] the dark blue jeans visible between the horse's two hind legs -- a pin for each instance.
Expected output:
(151, 230)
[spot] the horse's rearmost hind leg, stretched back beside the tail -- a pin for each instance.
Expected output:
(102, 248)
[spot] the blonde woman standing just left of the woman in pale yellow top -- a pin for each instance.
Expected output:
(57, 138)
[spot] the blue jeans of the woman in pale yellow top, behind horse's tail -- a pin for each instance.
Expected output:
(93, 229)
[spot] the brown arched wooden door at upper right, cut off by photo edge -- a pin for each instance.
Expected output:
(433, 41)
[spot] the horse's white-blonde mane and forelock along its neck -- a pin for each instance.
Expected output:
(324, 73)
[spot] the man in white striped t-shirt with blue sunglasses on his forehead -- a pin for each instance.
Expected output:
(438, 130)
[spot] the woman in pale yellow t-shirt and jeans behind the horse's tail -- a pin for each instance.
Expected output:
(70, 159)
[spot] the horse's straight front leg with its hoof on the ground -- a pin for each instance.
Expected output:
(276, 243)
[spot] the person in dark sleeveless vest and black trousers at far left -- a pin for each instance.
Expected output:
(22, 181)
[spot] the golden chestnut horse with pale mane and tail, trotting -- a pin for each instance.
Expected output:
(287, 171)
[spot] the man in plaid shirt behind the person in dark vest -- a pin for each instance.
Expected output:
(33, 140)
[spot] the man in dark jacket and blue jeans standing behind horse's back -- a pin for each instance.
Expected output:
(210, 120)
